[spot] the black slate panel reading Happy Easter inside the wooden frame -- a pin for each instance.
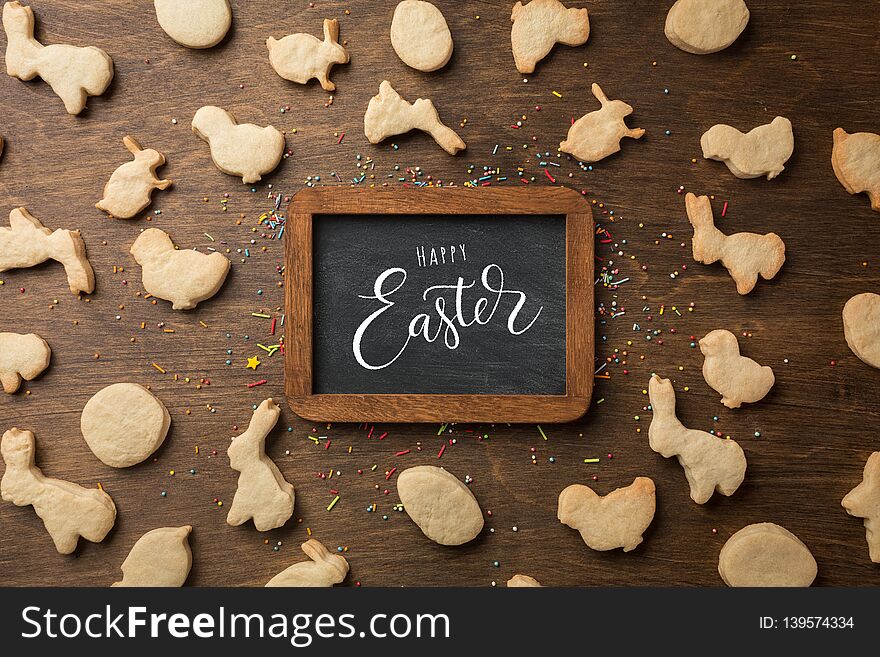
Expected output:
(468, 304)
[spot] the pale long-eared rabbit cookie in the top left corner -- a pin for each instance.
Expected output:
(73, 73)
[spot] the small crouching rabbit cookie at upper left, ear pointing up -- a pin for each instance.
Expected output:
(129, 188)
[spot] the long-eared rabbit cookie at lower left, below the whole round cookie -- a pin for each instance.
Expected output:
(67, 510)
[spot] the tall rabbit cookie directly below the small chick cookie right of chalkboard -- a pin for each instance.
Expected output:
(709, 463)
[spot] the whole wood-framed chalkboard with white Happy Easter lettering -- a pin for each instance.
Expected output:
(442, 304)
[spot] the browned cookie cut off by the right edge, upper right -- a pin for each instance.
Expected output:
(856, 162)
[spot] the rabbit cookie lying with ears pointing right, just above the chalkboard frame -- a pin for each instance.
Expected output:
(388, 114)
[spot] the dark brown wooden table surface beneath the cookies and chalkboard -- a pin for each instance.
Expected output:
(817, 426)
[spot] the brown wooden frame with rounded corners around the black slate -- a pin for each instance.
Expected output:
(494, 201)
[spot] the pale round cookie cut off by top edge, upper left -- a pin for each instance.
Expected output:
(194, 23)
